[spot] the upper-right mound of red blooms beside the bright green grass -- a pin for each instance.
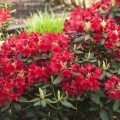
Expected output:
(88, 21)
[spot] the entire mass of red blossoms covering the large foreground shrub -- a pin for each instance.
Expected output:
(29, 59)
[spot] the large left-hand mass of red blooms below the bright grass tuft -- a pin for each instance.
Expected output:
(27, 58)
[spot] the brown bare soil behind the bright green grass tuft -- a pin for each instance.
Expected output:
(25, 7)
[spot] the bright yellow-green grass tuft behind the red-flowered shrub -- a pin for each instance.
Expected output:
(45, 22)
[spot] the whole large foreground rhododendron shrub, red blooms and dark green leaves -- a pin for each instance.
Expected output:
(74, 75)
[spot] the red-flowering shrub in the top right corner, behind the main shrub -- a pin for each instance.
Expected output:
(108, 8)
